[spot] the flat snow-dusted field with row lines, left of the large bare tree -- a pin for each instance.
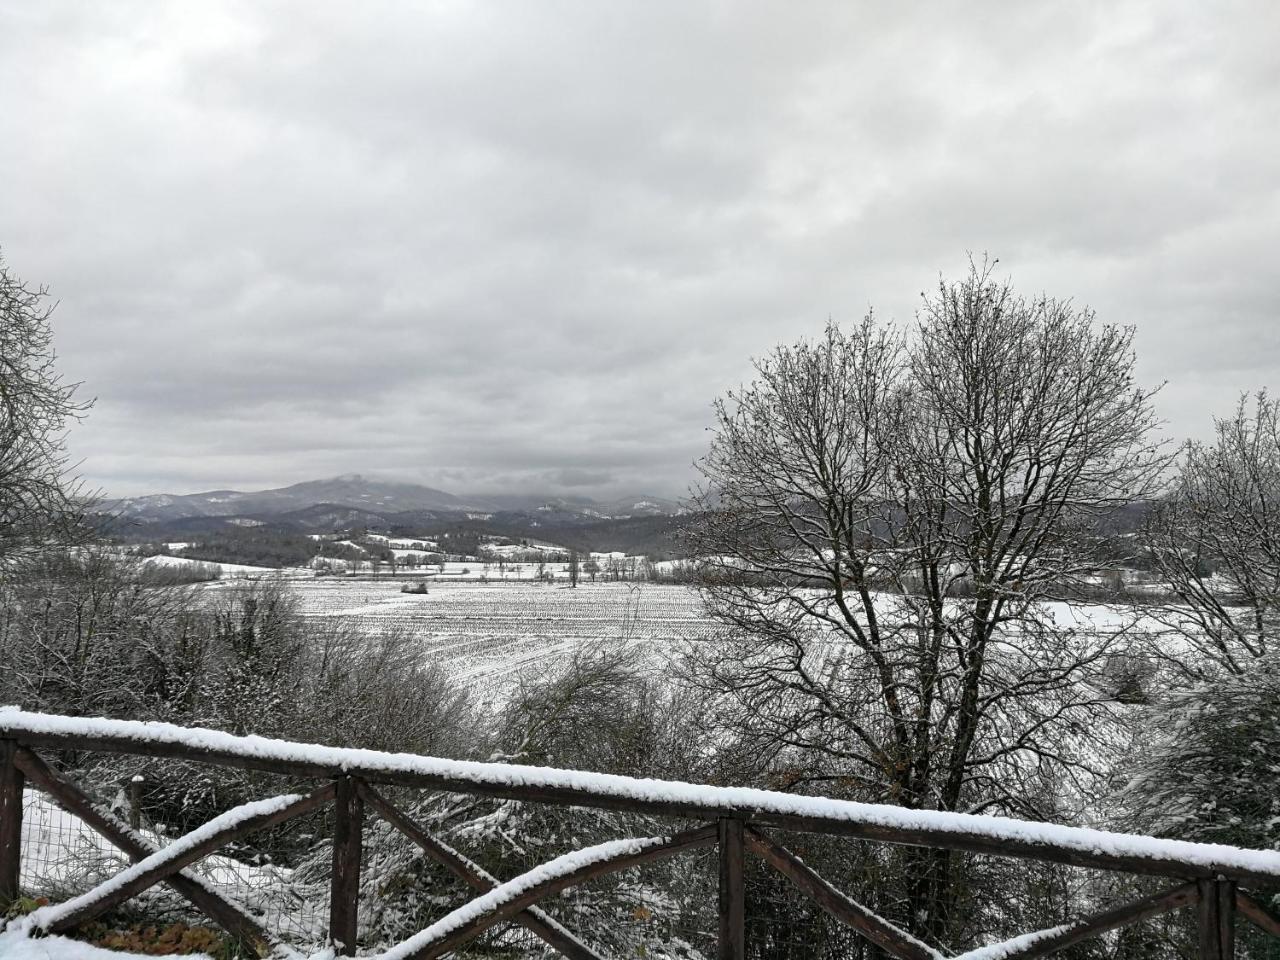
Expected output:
(488, 636)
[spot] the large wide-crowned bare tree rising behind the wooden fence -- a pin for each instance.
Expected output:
(884, 519)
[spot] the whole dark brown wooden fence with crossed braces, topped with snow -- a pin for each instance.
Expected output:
(735, 819)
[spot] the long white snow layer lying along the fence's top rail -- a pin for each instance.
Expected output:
(689, 796)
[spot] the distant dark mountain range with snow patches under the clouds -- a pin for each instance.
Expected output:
(354, 500)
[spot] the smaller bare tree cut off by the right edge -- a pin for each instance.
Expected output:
(1215, 540)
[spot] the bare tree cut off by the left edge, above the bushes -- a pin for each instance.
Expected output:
(39, 500)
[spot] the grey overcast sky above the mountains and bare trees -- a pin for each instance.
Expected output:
(523, 246)
